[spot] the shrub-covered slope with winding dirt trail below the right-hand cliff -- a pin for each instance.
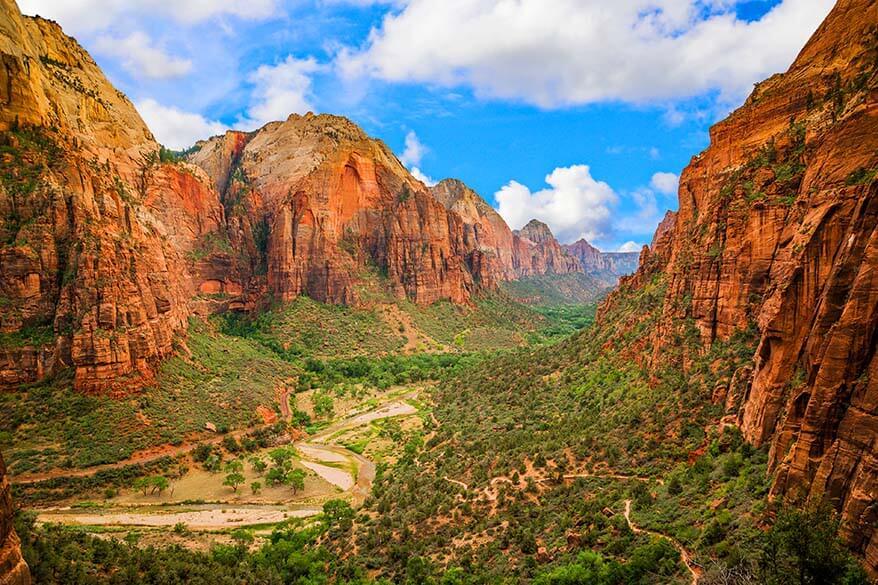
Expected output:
(536, 453)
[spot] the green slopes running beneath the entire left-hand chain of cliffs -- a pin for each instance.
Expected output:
(235, 365)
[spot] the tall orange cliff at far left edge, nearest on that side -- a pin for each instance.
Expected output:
(89, 272)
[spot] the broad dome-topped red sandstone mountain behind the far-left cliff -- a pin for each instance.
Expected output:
(315, 202)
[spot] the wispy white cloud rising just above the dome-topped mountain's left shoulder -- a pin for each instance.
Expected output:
(280, 90)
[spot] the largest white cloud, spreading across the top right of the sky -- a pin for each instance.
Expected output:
(562, 52)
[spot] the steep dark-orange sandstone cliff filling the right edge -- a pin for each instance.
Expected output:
(777, 228)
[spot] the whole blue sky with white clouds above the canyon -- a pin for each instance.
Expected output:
(581, 113)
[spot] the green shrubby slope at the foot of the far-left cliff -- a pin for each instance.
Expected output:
(222, 381)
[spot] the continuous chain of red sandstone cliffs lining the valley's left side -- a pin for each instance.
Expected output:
(108, 244)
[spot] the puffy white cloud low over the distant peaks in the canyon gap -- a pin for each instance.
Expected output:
(574, 205)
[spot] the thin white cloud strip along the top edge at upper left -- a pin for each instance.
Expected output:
(78, 16)
